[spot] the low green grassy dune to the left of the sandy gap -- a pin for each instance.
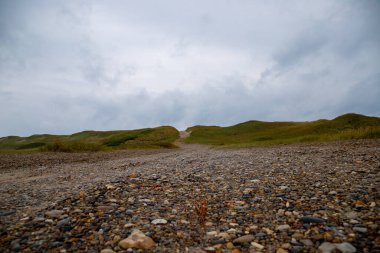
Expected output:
(159, 137)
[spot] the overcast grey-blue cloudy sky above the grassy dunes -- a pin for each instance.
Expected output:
(68, 66)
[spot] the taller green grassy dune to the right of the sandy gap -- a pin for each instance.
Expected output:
(251, 133)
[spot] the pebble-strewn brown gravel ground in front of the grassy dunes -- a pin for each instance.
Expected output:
(294, 198)
